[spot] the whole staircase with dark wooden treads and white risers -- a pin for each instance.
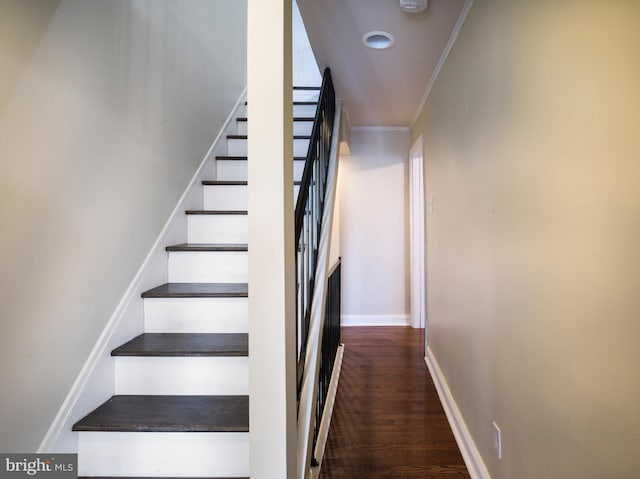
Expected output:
(181, 401)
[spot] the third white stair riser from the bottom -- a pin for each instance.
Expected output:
(196, 315)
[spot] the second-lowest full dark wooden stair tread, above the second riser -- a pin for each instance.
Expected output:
(185, 344)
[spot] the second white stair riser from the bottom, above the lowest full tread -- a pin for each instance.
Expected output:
(175, 376)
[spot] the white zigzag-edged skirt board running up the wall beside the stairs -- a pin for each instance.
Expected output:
(95, 382)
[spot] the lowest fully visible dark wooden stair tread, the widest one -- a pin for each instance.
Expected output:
(169, 414)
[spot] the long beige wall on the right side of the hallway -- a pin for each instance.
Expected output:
(533, 161)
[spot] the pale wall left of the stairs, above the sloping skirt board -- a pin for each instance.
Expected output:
(109, 109)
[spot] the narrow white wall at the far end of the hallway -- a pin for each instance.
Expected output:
(373, 209)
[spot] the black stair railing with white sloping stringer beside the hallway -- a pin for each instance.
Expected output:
(317, 337)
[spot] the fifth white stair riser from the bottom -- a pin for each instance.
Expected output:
(217, 228)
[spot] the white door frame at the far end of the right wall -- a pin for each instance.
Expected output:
(417, 236)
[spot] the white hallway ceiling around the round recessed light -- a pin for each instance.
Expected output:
(385, 87)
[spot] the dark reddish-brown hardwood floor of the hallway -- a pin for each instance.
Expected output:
(388, 421)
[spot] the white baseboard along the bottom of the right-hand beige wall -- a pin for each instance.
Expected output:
(470, 453)
